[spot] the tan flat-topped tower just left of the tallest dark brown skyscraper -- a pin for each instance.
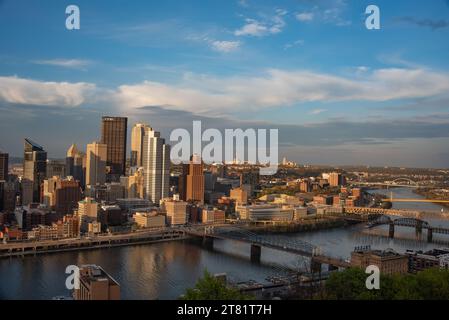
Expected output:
(96, 163)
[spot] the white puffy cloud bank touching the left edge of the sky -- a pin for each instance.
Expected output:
(61, 94)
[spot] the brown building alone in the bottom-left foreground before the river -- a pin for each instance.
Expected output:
(96, 284)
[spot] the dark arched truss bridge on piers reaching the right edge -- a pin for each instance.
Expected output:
(418, 224)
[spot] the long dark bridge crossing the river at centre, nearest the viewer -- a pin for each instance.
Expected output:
(295, 246)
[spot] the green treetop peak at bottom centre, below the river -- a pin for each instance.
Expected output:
(212, 288)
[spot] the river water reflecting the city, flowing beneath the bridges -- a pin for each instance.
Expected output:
(165, 270)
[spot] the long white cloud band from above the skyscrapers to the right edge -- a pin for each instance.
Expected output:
(275, 88)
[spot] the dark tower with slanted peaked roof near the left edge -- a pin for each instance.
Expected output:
(34, 167)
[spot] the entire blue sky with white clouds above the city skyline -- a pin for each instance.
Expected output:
(337, 92)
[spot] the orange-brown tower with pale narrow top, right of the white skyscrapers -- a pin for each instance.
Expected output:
(193, 177)
